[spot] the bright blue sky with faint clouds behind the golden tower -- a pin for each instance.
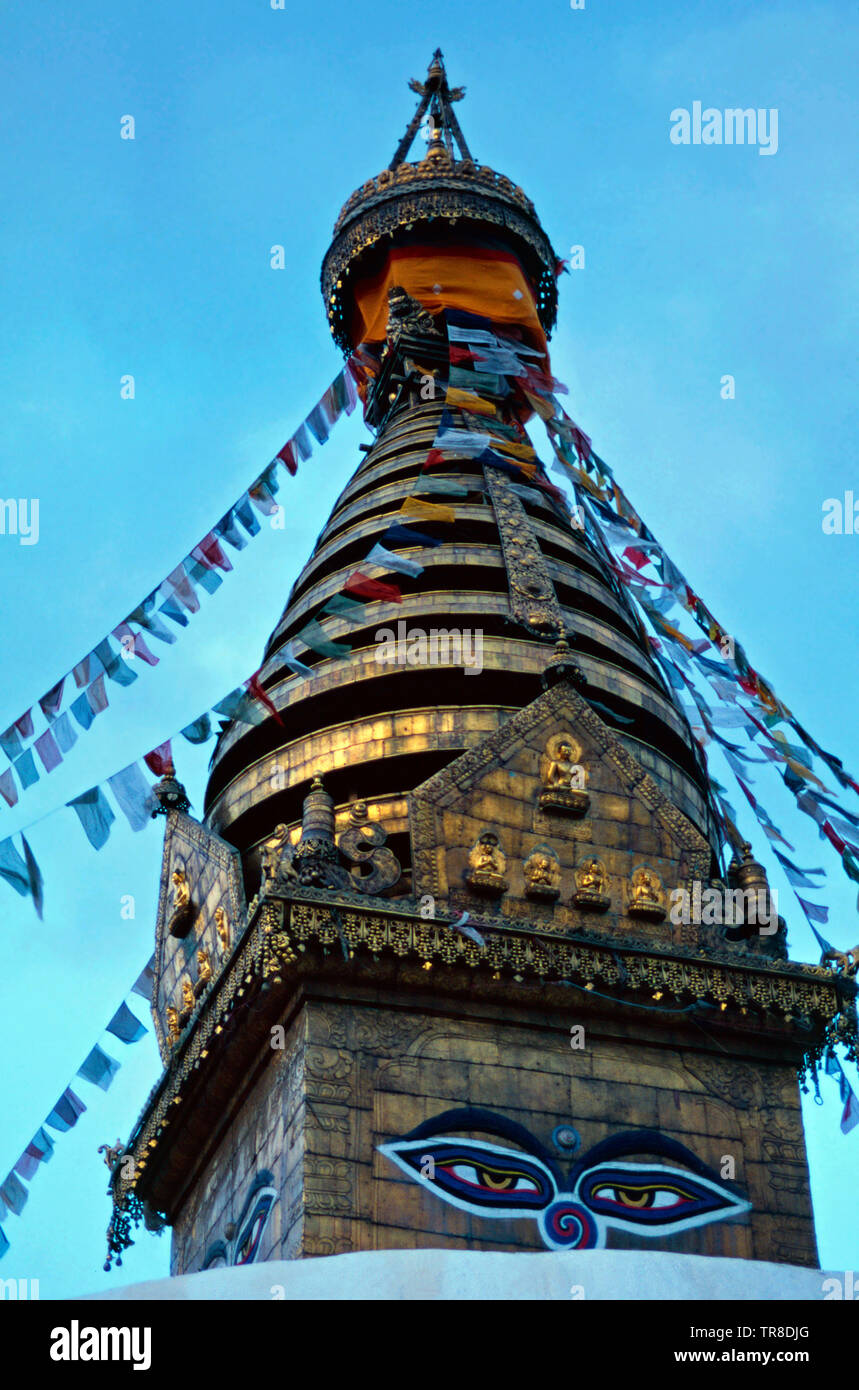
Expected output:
(154, 258)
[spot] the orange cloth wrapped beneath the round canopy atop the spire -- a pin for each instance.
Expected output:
(479, 280)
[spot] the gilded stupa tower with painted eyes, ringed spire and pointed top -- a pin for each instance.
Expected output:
(418, 981)
